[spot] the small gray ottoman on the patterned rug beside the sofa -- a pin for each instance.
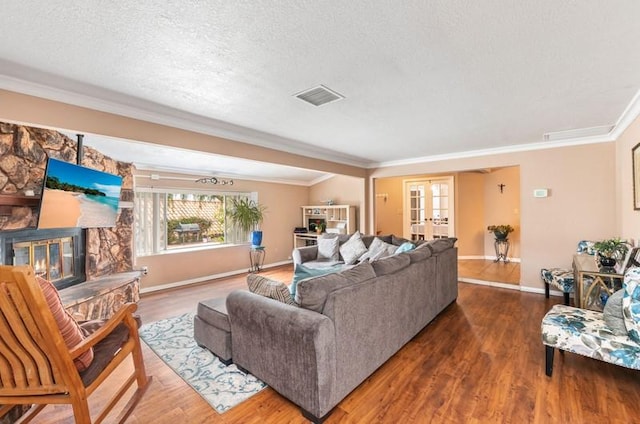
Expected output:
(211, 328)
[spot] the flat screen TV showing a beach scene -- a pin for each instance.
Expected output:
(75, 196)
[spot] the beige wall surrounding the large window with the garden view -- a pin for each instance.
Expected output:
(283, 203)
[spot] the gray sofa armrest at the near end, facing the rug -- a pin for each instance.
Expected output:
(291, 349)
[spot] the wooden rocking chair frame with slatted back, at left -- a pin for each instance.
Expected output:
(37, 368)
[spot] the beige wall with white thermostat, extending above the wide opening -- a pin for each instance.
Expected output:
(582, 204)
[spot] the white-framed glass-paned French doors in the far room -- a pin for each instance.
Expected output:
(428, 208)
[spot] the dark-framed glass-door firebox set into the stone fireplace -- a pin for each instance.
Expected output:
(56, 255)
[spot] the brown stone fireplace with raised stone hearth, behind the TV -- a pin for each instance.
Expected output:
(92, 268)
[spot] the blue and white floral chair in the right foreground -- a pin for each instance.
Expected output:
(611, 336)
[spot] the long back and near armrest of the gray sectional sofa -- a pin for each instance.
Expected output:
(345, 326)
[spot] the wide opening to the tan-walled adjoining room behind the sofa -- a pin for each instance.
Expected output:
(474, 199)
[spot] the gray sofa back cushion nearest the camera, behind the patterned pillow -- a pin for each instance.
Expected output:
(312, 293)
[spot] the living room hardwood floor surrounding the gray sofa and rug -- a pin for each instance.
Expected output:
(480, 361)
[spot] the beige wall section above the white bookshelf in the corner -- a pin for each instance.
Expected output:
(343, 190)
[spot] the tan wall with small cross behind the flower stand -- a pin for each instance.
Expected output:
(502, 208)
